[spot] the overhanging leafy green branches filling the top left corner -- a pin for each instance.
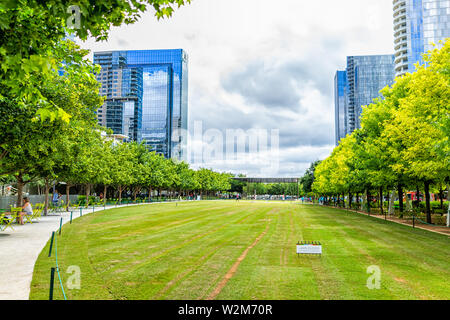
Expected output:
(30, 30)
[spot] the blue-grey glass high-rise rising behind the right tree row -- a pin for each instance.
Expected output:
(358, 86)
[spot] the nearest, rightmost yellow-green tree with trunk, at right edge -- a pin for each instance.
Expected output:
(419, 125)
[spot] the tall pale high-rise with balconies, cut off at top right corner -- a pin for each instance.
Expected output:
(418, 24)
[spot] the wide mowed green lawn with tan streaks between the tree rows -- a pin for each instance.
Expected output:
(245, 250)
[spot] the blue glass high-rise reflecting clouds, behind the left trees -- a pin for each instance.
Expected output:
(146, 95)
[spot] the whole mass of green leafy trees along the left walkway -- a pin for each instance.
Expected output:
(49, 97)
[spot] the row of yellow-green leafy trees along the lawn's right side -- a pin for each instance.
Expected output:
(403, 142)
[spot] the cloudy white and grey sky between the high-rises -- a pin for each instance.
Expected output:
(260, 64)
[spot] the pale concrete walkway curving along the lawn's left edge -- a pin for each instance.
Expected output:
(20, 248)
